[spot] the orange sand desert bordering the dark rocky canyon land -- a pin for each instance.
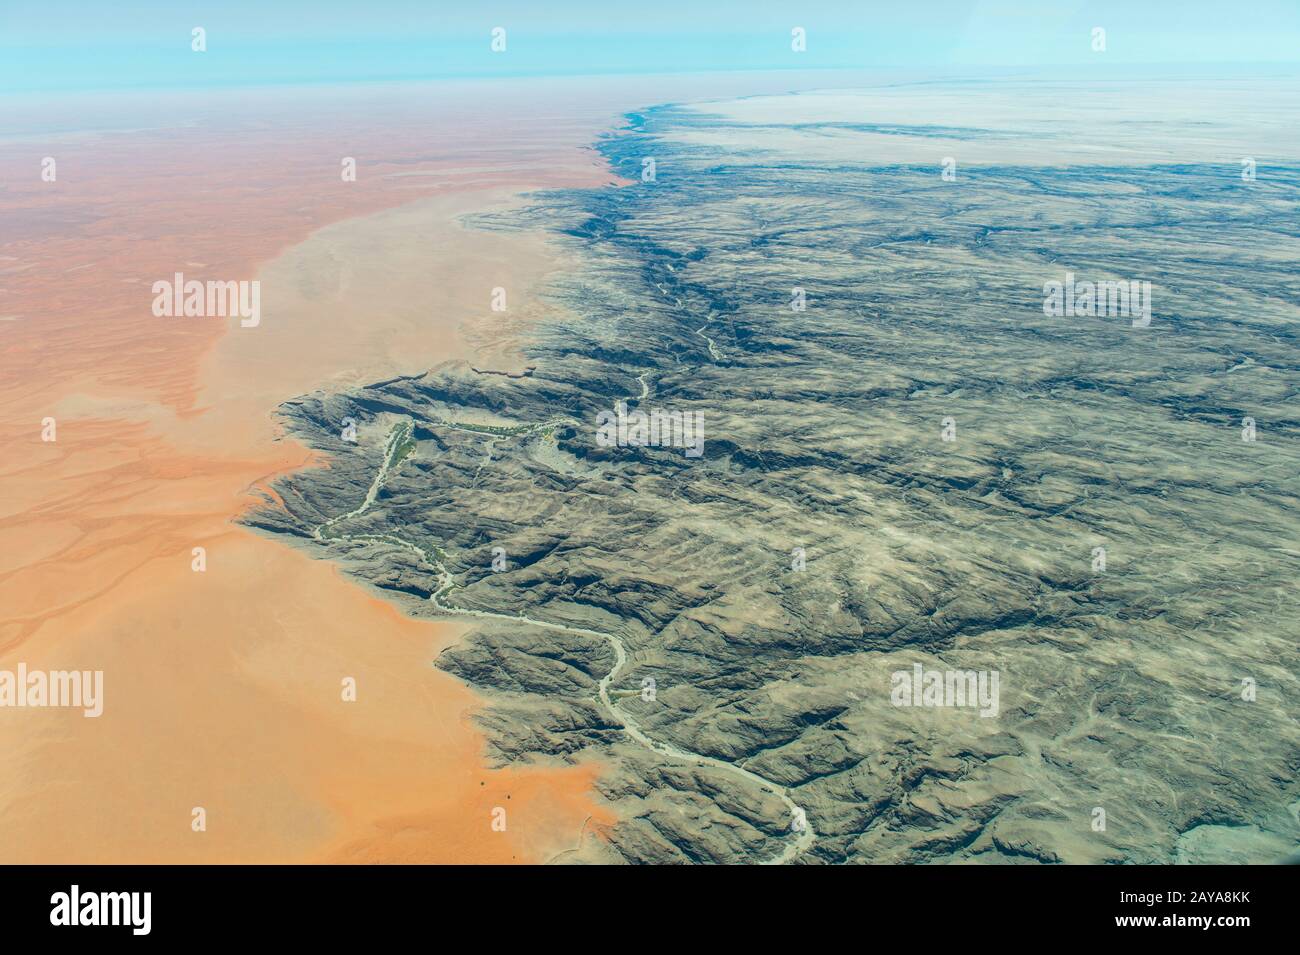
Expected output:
(223, 688)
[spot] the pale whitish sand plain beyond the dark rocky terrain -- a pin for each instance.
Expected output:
(1081, 121)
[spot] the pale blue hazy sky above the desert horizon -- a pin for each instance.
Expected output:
(77, 45)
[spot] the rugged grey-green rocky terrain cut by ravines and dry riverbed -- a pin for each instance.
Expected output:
(905, 462)
